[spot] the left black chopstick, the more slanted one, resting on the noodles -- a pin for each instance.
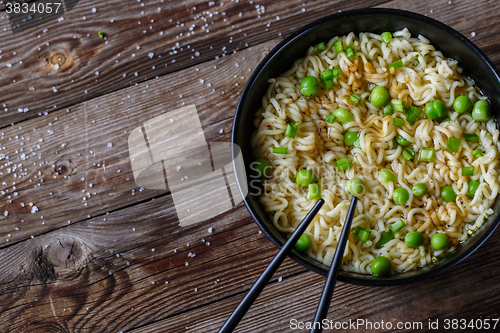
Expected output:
(261, 282)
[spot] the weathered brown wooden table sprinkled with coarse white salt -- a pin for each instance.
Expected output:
(84, 249)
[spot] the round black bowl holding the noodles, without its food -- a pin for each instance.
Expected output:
(450, 42)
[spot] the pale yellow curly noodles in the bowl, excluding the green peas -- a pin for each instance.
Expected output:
(426, 76)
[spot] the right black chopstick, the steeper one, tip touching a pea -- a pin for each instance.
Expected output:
(326, 297)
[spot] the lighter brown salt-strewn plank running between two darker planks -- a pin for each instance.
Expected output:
(82, 168)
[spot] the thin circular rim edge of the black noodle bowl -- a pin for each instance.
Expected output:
(344, 14)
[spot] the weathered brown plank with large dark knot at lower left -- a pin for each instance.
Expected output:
(111, 269)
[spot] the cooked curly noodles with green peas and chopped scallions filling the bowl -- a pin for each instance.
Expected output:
(387, 118)
